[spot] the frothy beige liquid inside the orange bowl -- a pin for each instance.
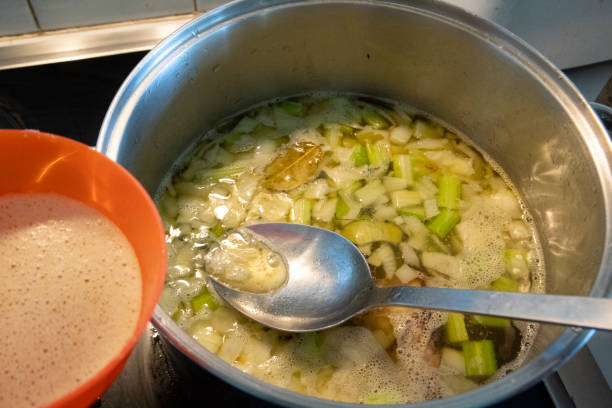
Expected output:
(69, 298)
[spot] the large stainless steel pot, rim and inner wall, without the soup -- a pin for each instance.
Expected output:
(472, 74)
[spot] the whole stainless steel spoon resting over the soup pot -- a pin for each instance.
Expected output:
(329, 282)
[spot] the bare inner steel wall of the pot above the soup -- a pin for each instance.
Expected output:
(434, 64)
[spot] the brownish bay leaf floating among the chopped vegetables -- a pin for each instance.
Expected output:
(293, 167)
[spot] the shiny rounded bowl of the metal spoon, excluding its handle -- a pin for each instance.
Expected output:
(322, 264)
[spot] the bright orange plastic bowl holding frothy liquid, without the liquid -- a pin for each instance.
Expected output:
(35, 162)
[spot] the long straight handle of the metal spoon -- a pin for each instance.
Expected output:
(576, 311)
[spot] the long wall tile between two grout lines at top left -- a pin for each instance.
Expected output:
(55, 14)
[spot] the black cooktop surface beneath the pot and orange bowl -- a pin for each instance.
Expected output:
(70, 99)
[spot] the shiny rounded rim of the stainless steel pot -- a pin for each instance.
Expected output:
(594, 136)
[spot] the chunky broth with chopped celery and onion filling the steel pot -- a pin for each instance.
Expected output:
(421, 203)
